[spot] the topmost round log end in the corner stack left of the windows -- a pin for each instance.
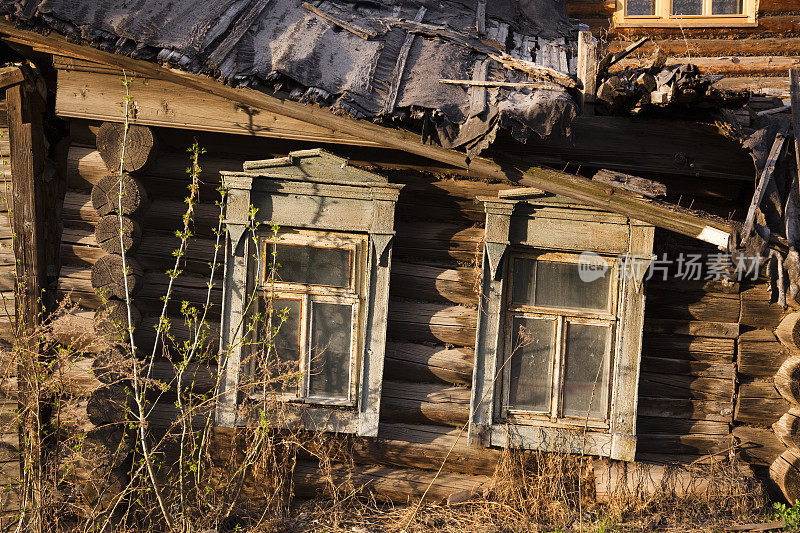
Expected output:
(140, 146)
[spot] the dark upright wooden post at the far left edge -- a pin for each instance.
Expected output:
(24, 107)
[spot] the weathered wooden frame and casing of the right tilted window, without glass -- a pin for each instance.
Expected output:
(541, 226)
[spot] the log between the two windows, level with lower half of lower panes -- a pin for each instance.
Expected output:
(421, 363)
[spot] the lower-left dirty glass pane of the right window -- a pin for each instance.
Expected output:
(530, 386)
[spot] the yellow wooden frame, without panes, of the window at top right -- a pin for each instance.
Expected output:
(663, 17)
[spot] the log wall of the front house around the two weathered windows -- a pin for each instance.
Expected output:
(690, 404)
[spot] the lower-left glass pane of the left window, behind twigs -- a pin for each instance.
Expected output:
(286, 320)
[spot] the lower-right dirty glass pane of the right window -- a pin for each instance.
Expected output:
(585, 371)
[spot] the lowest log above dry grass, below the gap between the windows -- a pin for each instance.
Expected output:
(396, 485)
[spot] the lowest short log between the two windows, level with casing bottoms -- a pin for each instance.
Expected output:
(424, 403)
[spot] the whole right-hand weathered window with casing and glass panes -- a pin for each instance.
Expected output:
(560, 327)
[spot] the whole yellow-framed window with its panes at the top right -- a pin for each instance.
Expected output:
(685, 13)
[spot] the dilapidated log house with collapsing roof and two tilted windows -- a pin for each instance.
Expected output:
(503, 233)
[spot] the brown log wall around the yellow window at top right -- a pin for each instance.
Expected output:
(751, 57)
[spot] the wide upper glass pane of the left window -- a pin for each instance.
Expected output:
(313, 265)
